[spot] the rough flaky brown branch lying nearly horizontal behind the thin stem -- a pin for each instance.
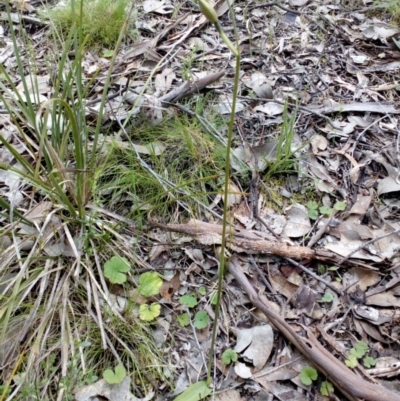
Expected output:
(247, 241)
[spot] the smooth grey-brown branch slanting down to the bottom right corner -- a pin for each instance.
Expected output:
(343, 378)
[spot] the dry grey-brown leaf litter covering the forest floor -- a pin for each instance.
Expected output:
(346, 106)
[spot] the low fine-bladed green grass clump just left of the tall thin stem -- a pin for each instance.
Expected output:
(186, 171)
